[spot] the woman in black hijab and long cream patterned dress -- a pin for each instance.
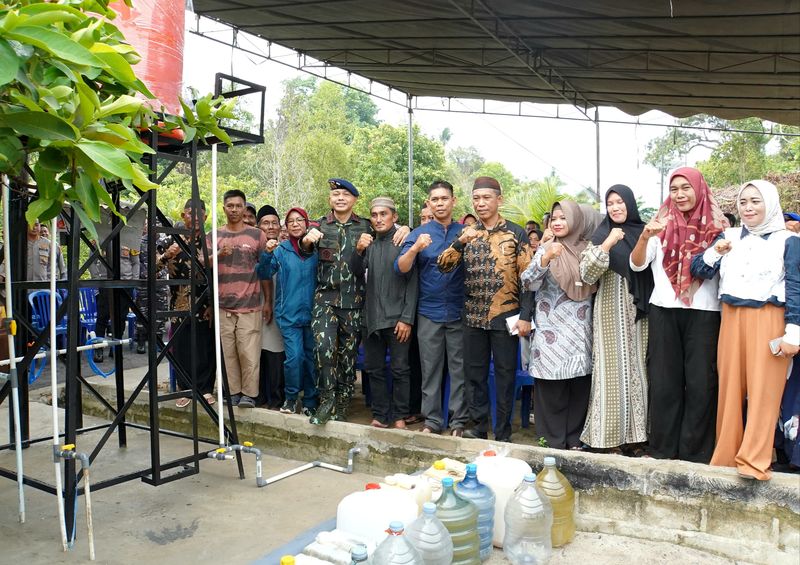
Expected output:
(617, 416)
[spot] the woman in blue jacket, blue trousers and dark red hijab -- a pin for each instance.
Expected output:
(296, 279)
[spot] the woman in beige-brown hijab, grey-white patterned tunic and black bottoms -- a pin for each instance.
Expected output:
(561, 351)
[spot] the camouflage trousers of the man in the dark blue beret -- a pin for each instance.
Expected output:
(336, 332)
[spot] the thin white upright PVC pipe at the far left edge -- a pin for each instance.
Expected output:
(12, 362)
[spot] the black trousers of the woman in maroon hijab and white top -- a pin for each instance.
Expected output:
(682, 369)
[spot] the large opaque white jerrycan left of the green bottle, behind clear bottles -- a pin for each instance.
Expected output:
(364, 514)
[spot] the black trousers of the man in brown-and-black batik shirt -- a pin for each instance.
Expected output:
(480, 346)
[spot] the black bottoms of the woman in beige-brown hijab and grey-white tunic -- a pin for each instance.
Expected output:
(560, 408)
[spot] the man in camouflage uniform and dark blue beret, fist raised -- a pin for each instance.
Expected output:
(339, 298)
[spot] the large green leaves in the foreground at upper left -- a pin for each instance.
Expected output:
(72, 108)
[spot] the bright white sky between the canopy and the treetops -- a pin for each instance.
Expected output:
(529, 147)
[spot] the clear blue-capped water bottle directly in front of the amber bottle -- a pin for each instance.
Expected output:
(529, 519)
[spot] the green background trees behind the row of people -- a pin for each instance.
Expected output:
(324, 130)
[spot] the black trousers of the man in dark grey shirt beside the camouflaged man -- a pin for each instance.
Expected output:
(389, 403)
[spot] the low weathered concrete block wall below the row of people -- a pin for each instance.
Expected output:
(707, 508)
